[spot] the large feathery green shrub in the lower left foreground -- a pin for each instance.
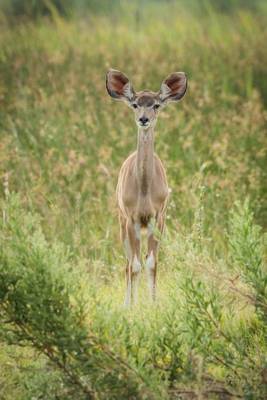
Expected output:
(41, 306)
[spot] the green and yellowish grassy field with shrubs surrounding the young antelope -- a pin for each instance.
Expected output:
(64, 331)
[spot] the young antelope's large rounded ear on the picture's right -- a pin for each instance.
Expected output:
(173, 88)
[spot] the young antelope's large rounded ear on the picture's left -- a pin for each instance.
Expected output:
(118, 86)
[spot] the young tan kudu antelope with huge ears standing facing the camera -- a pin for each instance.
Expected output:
(142, 189)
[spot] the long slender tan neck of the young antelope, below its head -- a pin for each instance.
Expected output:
(145, 159)
